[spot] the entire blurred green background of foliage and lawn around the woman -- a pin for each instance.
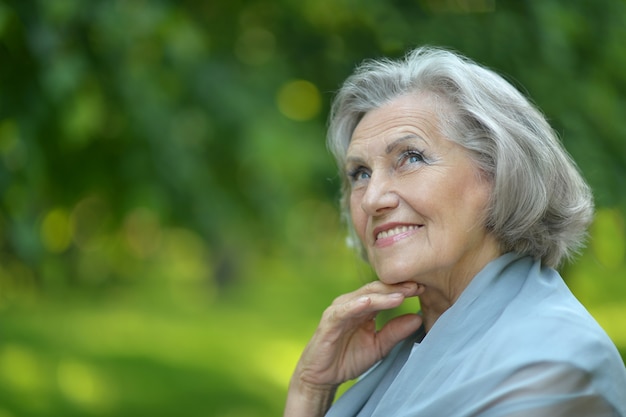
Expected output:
(169, 232)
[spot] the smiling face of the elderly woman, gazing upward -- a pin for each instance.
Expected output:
(417, 200)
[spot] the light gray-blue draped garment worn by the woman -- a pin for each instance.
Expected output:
(515, 343)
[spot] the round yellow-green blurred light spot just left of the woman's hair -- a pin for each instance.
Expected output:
(299, 100)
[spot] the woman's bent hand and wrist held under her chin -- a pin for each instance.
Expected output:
(346, 344)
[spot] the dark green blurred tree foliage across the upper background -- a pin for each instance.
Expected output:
(183, 108)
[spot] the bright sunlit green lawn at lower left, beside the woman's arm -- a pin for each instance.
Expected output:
(123, 359)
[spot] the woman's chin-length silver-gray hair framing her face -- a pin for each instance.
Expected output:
(540, 204)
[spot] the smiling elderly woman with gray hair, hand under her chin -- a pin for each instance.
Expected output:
(458, 192)
